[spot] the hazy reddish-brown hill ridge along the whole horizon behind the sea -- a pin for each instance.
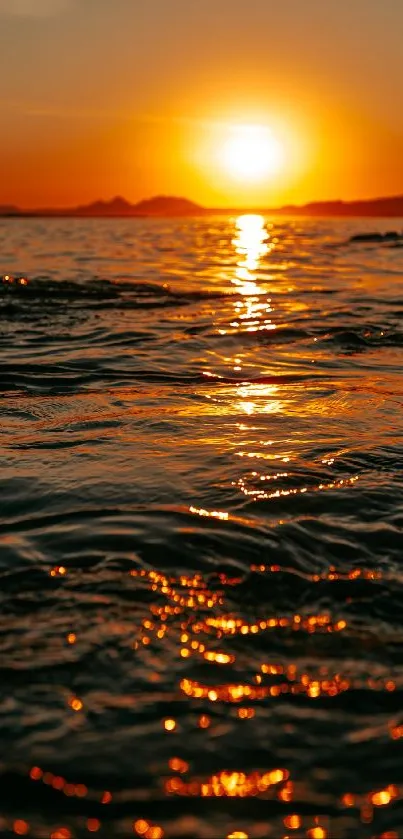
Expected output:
(169, 206)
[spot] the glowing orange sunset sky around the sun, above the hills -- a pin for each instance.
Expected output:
(105, 97)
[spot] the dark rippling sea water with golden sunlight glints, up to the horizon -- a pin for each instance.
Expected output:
(201, 530)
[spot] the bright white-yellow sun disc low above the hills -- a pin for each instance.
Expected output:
(252, 153)
